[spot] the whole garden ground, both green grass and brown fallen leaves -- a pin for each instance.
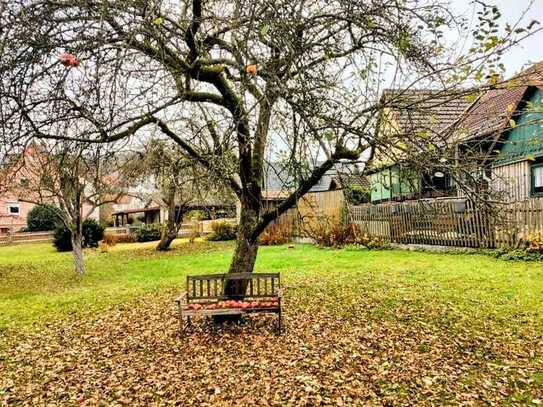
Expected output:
(362, 328)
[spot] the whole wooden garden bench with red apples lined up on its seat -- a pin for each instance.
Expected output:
(248, 293)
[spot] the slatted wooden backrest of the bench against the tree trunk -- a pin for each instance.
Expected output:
(250, 285)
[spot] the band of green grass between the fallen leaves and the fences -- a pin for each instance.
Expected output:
(38, 284)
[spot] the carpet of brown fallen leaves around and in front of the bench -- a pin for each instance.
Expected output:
(132, 355)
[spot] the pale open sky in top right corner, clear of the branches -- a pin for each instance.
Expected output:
(530, 50)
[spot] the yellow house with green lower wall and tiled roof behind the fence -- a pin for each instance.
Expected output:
(412, 119)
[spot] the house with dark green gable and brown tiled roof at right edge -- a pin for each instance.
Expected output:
(510, 122)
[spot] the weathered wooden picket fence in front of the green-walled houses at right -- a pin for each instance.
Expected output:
(451, 222)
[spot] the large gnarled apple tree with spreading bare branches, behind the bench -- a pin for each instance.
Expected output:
(294, 78)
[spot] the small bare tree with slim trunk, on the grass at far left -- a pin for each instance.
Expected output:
(78, 179)
